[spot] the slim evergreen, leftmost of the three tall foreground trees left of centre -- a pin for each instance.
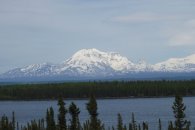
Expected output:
(62, 115)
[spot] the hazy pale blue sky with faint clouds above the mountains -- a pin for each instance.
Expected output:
(37, 31)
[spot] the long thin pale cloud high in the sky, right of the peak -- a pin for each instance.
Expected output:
(144, 17)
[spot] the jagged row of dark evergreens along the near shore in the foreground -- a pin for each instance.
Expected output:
(72, 121)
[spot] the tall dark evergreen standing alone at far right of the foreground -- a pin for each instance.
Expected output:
(179, 113)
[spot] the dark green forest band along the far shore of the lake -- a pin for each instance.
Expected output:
(100, 89)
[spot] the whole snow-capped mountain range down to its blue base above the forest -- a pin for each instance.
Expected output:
(92, 64)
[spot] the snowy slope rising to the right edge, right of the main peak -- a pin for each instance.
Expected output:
(186, 64)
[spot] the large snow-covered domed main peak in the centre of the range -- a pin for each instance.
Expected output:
(94, 62)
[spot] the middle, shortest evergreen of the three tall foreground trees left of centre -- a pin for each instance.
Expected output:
(74, 112)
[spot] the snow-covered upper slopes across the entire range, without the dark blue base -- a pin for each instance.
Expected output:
(92, 62)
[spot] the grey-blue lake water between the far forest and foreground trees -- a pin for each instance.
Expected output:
(145, 109)
